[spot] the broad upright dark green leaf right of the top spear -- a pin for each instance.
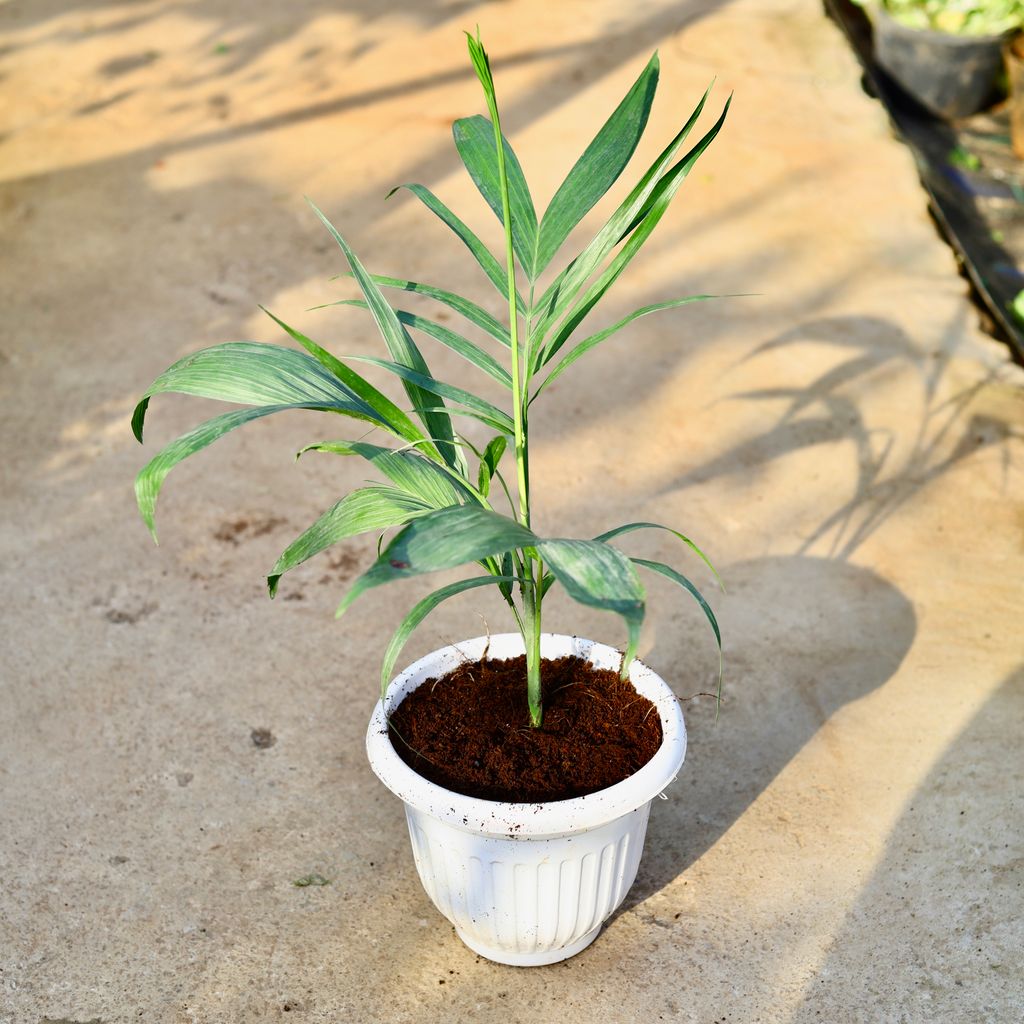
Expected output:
(600, 167)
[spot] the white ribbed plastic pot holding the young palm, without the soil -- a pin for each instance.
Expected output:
(528, 884)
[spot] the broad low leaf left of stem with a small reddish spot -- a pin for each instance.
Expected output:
(440, 541)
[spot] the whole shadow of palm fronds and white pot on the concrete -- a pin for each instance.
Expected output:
(815, 633)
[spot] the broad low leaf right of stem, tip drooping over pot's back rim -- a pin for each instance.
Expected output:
(601, 577)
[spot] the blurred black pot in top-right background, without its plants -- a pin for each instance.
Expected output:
(951, 76)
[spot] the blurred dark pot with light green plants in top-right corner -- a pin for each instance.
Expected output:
(946, 54)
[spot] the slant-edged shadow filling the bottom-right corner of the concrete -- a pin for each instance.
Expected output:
(943, 889)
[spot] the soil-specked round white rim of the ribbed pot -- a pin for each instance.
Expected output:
(509, 821)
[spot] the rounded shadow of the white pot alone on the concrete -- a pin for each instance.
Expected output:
(815, 634)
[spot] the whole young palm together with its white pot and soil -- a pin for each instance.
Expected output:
(529, 765)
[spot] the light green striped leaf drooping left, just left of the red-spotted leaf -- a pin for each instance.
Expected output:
(363, 510)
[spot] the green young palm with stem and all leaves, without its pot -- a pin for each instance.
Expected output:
(443, 506)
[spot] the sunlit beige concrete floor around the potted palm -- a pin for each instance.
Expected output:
(843, 846)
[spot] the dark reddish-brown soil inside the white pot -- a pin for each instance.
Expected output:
(470, 732)
